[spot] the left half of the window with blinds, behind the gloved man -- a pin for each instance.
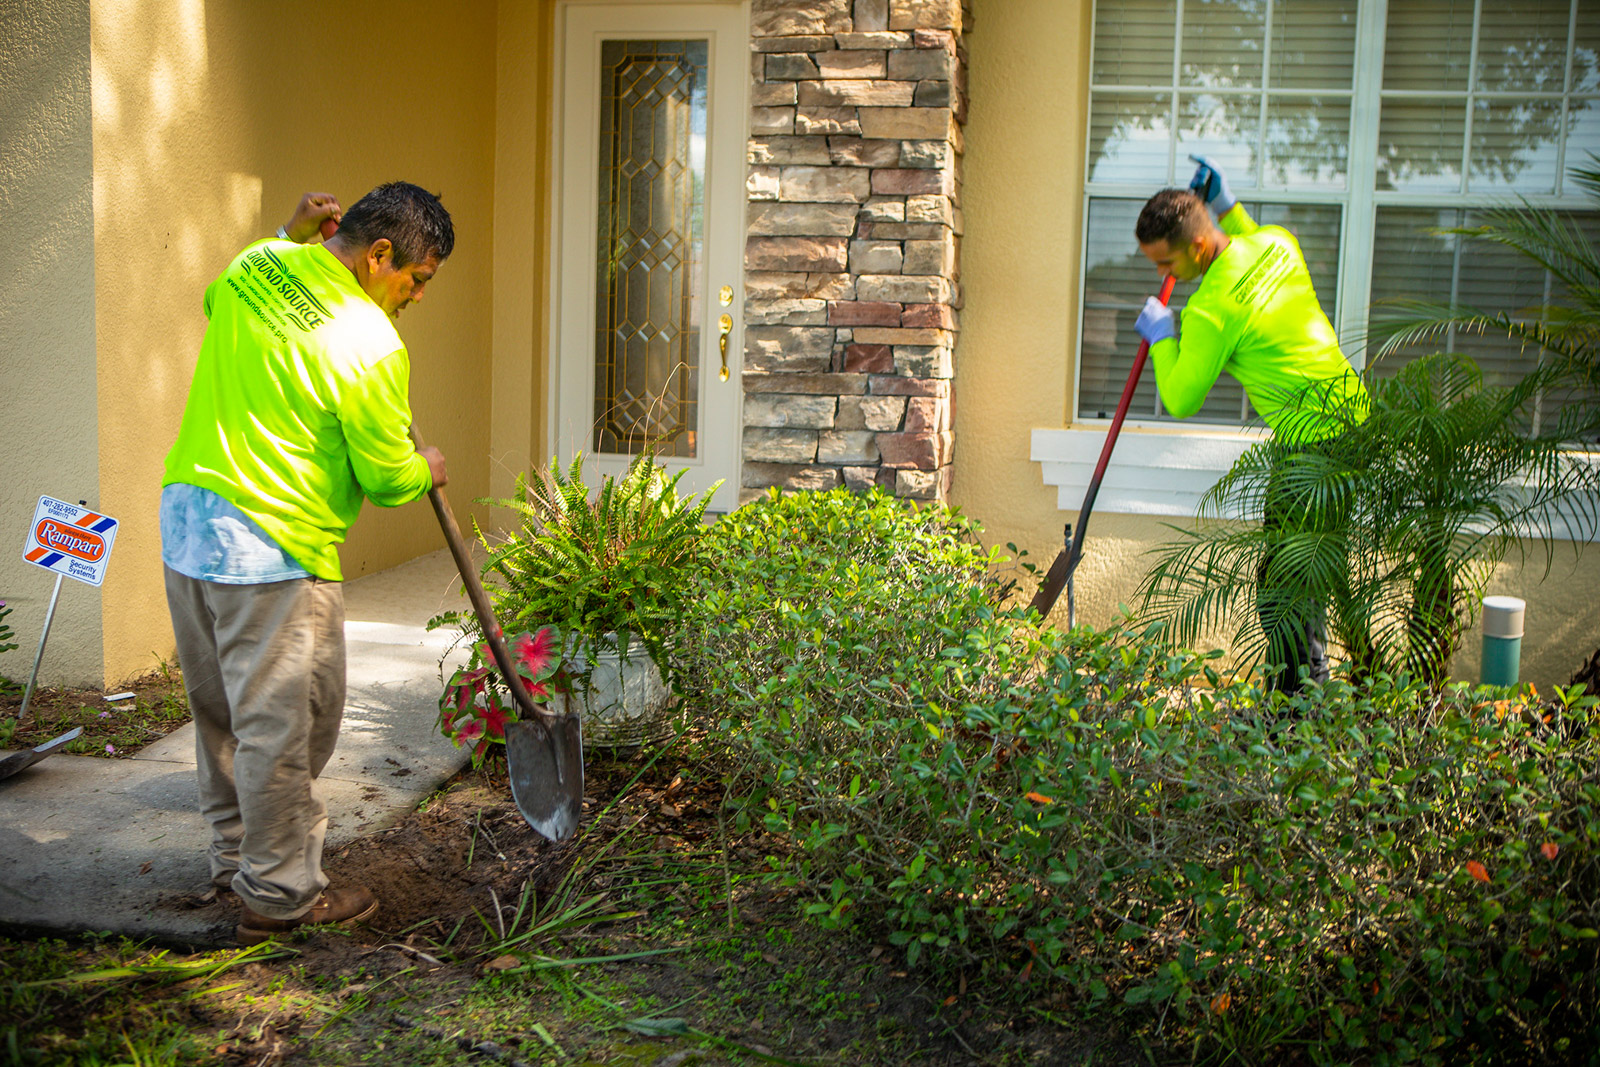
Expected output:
(1262, 87)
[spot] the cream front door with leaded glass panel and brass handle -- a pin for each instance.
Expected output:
(652, 231)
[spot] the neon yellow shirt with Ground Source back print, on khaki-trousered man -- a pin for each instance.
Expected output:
(298, 406)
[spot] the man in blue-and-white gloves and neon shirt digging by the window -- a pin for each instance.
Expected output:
(1254, 316)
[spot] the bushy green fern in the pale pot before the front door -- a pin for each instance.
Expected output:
(602, 567)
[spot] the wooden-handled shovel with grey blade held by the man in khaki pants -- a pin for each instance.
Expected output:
(545, 751)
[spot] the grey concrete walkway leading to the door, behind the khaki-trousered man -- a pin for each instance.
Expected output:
(119, 845)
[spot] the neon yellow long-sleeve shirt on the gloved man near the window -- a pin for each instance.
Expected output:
(1257, 318)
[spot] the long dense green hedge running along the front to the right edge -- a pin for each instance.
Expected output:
(1375, 874)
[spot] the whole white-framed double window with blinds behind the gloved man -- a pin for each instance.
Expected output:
(1361, 138)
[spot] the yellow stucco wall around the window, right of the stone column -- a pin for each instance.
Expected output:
(1023, 202)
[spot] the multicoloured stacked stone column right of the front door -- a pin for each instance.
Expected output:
(852, 279)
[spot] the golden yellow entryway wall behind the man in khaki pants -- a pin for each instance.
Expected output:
(210, 121)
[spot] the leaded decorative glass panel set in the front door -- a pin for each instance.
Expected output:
(650, 246)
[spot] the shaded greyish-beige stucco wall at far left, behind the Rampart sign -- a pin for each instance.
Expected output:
(47, 318)
